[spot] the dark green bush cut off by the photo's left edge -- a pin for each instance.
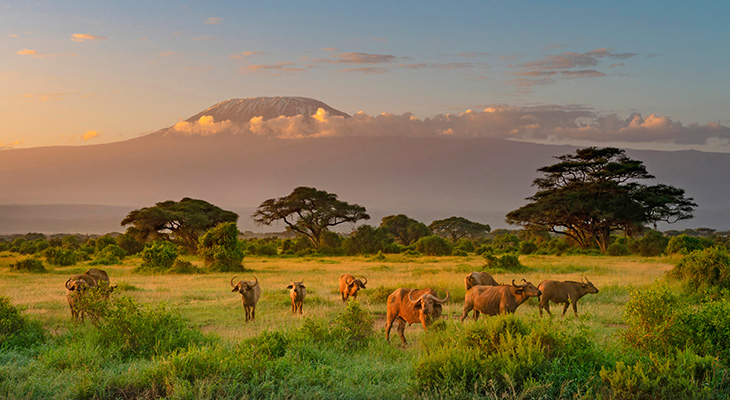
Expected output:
(15, 329)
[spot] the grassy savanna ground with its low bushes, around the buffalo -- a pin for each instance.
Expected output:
(184, 336)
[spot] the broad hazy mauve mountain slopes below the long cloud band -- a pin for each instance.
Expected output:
(425, 178)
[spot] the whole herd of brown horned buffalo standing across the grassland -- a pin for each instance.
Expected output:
(407, 306)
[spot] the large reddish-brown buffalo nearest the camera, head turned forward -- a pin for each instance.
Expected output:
(411, 306)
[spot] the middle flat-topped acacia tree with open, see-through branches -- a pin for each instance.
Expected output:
(309, 212)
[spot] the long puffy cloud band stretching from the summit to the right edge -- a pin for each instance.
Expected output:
(529, 123)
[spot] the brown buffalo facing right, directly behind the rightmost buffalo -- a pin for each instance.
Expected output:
(493, 300)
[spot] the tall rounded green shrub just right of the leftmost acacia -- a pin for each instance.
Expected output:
(220, 248)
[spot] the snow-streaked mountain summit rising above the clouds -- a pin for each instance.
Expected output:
(240, 111)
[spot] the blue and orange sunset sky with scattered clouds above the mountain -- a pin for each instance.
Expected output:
(650, 74)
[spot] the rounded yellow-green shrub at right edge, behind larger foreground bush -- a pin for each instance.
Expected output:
(704, 268)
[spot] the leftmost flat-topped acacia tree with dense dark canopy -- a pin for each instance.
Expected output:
(180, 222)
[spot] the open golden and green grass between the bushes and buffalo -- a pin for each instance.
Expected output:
(314, 361)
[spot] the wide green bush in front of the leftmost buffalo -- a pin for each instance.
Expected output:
(131, 330)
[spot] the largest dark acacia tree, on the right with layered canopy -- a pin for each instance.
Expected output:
(589, 194)
